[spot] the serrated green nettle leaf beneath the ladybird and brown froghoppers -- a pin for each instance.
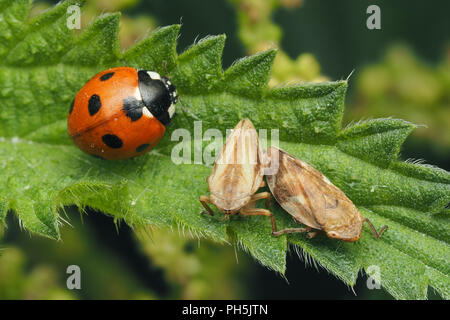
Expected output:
(43, 66)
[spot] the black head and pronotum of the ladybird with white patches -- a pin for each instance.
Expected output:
(158, 95)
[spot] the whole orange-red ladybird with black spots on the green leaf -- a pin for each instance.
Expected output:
(121, 113)
